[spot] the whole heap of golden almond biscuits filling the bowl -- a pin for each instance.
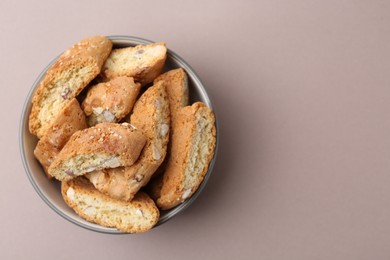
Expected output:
(117, 130)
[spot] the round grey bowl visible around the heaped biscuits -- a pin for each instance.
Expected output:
(50, 190)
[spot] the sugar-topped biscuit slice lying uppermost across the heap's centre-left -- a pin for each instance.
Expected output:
(106, 145)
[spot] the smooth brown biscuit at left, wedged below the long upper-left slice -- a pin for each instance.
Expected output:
(70, 120)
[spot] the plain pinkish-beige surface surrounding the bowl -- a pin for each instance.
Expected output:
(302, 91)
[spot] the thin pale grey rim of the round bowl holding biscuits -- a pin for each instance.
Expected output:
(128, 40)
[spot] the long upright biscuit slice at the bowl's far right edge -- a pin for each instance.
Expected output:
(193, 145)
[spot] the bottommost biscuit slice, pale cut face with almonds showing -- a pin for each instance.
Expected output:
(137, 216)
